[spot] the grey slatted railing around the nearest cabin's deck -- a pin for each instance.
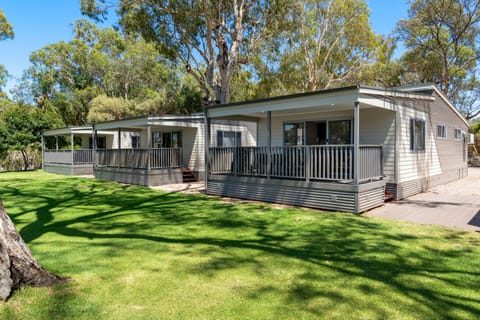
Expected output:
(323, 162)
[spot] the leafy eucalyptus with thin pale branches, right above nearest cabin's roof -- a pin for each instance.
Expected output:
(320, 44)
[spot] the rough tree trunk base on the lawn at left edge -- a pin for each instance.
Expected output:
(17, 265)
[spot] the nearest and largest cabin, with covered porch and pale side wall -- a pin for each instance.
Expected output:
(342, 149)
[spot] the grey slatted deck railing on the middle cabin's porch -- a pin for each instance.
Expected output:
(139, 158)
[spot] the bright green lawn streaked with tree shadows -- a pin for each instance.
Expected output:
(136, 253)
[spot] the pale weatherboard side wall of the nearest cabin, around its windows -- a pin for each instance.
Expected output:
(441, 162)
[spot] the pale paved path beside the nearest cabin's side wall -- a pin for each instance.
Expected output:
(456, 204)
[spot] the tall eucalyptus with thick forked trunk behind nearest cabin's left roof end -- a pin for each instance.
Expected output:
(211, 38)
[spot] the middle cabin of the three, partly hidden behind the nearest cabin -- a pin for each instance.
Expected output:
(165, 149)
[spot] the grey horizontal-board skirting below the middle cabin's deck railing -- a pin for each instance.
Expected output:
(155, 177)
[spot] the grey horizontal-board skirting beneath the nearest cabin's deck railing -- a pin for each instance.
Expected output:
(319, 195)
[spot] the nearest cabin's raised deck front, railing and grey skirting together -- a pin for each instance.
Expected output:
(312, 176)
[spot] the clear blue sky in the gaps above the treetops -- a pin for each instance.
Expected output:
(37, 23)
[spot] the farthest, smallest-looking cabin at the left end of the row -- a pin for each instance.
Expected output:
(70, 150)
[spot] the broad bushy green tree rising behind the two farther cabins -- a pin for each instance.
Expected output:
(66, 77)
